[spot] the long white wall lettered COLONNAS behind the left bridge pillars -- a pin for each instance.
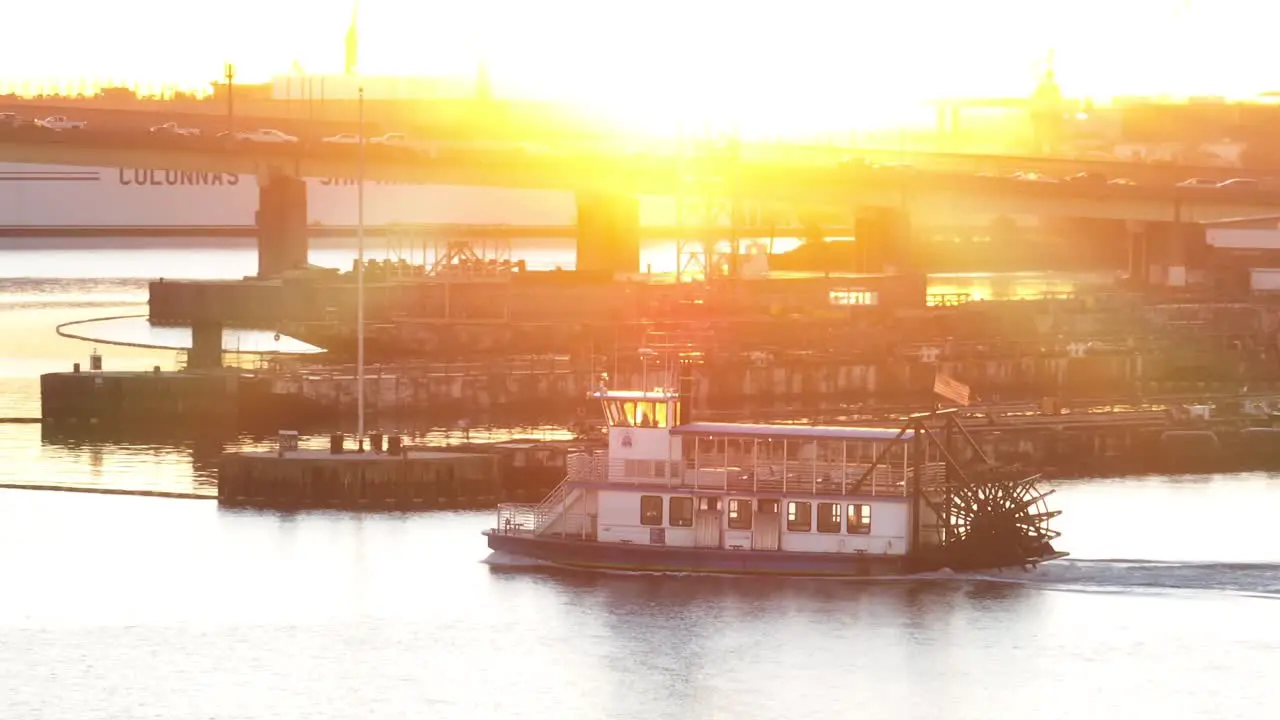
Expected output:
(58, 197)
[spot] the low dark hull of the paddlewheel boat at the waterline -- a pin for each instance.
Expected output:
(591, 555)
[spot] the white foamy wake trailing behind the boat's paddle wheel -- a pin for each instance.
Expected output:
(1255, 580)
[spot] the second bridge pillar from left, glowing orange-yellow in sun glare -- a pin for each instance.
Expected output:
(609, 234)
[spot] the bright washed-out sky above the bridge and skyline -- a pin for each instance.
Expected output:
(793, 58)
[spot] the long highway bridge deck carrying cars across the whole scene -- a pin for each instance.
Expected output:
(938, 194)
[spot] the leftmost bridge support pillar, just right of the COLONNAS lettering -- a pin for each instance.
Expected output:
(282, 224)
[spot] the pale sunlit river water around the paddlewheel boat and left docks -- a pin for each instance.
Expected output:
(132, 608)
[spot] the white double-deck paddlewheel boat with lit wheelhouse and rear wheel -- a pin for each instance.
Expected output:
(785, 500)
